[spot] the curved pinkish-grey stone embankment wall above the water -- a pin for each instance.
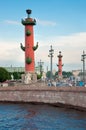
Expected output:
(74, 97)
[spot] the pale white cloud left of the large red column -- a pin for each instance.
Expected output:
(10, 53)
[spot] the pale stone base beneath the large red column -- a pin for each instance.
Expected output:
(29, 77)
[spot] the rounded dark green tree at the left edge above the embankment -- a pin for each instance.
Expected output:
(4, 74)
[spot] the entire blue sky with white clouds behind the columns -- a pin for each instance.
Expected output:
(60, 23)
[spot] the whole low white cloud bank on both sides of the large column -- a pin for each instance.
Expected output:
(71, 46)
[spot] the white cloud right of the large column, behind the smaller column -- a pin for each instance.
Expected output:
(72, 47)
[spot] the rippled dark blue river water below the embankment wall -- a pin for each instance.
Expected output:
(40, 117)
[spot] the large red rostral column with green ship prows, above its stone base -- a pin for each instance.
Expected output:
(29, 43)
